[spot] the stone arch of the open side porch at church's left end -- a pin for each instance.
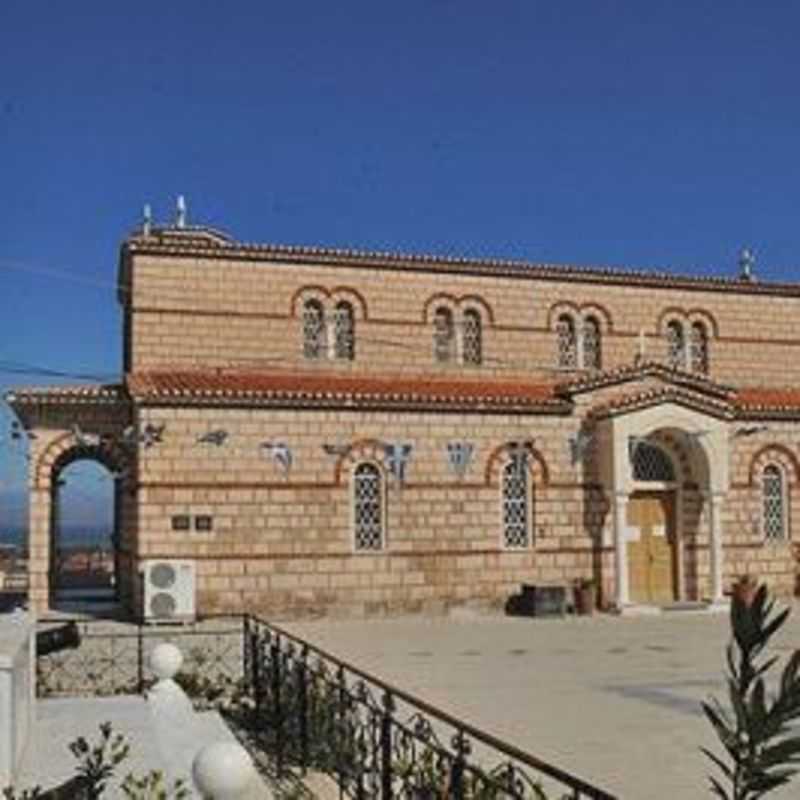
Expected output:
(62, 450)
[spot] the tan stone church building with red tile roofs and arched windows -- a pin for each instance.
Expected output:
(342, 432)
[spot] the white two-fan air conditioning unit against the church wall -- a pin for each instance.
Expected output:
(168, 591)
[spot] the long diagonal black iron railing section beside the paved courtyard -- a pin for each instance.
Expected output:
(315, 712)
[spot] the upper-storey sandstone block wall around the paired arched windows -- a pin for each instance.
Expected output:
(194, 312)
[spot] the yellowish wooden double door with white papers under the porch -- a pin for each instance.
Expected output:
(652, 548)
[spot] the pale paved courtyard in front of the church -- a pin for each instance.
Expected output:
(613, 700)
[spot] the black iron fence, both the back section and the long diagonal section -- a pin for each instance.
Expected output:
(310, 712)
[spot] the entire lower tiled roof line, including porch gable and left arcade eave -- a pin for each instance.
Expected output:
(400, 391)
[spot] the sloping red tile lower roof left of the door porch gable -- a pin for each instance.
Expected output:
(315, 389)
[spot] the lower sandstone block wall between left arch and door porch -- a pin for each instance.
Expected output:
(284, 541)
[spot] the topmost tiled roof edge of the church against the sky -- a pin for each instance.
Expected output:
(208, 243)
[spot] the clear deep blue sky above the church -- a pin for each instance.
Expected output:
(621, 133)
